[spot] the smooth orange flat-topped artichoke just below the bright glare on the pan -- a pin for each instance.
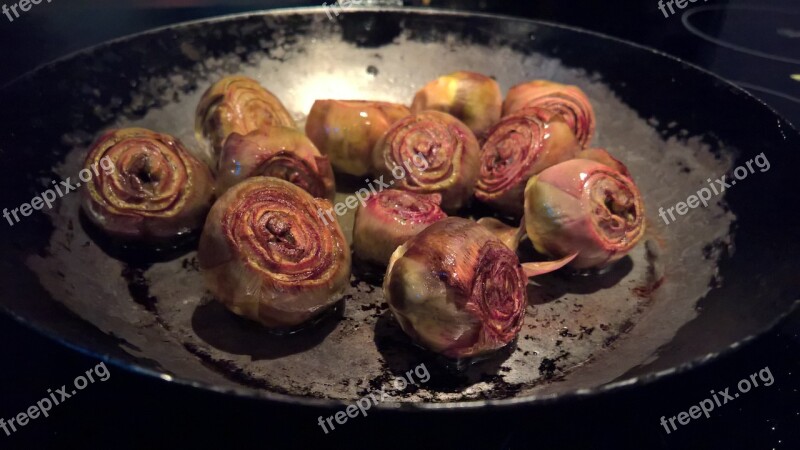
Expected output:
(346, 131)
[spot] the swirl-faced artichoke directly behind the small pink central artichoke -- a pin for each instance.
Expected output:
(448, 148)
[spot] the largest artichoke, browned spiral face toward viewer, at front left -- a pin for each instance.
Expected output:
(268, 256)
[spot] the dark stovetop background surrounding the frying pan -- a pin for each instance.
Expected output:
(757, 47)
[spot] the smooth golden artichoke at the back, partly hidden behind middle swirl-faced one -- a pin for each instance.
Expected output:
(473, 98)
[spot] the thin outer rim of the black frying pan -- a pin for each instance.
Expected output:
(530, 400)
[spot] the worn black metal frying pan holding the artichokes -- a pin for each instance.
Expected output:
(697, 287)
